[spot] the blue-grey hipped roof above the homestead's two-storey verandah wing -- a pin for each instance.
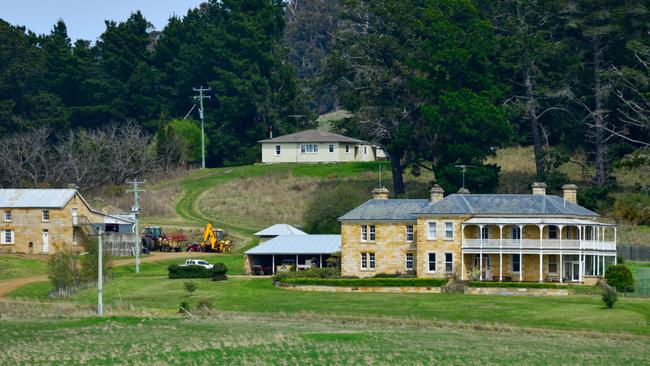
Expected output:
(505, 204)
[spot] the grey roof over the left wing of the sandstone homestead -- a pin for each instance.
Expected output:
(392, 209)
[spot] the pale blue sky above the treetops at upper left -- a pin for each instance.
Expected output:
(85, 18)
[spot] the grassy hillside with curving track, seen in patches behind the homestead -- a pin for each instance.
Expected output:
(245, 199)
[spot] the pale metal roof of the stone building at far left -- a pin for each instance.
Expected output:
(35, 198)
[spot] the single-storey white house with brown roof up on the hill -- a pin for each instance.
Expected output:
(316, 146)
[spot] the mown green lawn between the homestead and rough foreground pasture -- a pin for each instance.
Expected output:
(257, 295)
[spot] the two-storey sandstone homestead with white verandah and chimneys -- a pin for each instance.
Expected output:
(493, 237)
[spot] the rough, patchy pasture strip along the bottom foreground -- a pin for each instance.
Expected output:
(282, 340)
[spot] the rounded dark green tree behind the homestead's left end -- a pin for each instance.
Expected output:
(329, 203)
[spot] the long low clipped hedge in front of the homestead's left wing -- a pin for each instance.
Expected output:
(369, 282)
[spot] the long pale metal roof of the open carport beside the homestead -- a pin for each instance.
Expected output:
(299, 244)
